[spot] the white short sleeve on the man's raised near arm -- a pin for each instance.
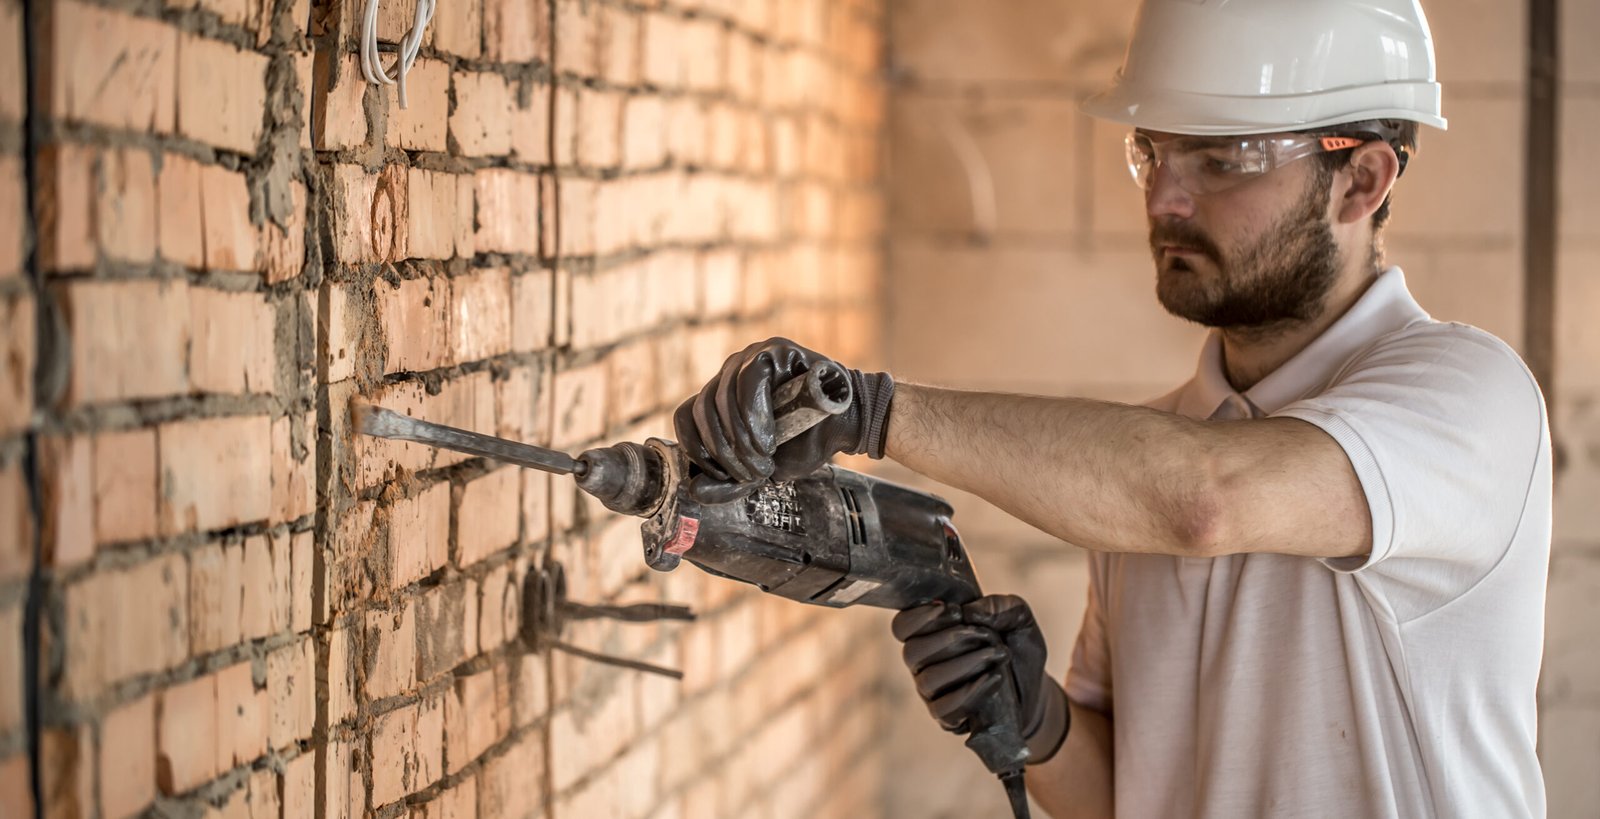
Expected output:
(1444, 426)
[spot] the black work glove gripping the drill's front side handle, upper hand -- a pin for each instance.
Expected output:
(730, 433)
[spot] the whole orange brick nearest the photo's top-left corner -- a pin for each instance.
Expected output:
(113, 70)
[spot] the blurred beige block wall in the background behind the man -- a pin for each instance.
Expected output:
(1018, 262)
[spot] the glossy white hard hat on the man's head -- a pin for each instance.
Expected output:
(1262, 66)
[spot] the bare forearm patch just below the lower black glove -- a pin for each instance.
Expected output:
(1078, 781)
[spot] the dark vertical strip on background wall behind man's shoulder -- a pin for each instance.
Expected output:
(1540, 194)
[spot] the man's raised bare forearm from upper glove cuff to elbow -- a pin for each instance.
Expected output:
(1102, 476)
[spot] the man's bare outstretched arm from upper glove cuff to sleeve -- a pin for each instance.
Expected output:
(1129, 479)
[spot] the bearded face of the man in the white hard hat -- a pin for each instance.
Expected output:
(1254, 257)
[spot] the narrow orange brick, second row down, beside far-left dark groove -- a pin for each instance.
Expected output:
(66, 233)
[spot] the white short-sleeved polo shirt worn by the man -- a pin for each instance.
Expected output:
(1398, 685)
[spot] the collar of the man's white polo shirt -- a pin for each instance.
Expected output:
(1386, 306)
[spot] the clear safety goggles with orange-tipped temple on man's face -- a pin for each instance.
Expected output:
(1212, 164)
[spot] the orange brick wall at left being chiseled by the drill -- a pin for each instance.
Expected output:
(249, 610)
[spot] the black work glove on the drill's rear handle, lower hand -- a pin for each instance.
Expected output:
(959, 655)
